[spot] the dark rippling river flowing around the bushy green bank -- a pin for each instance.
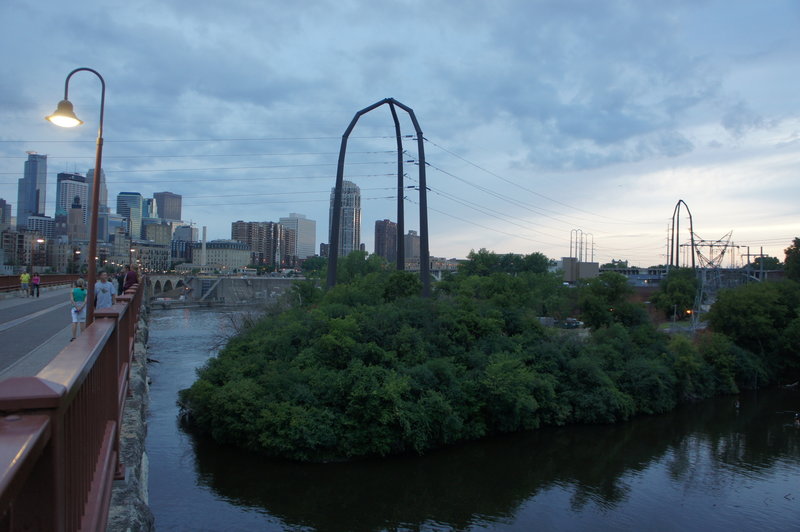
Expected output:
(709, 466)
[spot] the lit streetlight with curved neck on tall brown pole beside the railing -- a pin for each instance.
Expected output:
(64, 116)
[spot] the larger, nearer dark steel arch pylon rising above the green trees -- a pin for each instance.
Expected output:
(424, 259)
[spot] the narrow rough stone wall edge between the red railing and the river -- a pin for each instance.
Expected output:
(129, 509)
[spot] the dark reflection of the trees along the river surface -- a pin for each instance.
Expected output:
(493, 478)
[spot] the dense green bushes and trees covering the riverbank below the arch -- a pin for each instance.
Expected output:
(370, 368)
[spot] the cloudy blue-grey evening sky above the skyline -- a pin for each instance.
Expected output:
(540, 117)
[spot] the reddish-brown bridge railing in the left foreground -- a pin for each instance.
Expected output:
(59, 430)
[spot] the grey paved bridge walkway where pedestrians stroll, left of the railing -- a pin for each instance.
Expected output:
(33, 331)
